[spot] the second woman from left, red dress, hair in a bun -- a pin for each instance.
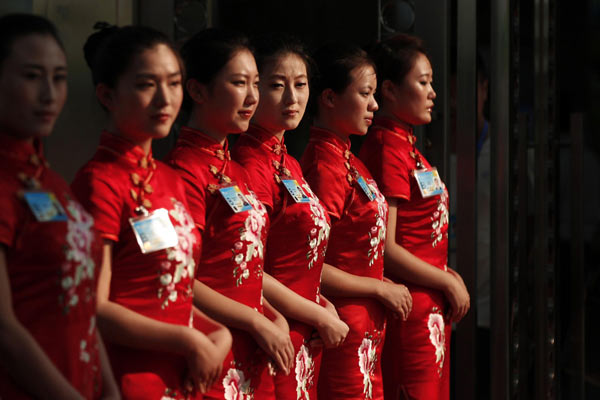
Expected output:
(151, 247)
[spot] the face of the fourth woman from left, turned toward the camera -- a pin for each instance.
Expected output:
(283, 94)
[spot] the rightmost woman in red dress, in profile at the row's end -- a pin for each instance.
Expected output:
(416, 356)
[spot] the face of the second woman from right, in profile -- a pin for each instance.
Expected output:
(354, 107)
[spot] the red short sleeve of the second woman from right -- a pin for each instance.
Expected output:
(329, 186)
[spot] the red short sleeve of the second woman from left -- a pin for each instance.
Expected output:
(101, 199)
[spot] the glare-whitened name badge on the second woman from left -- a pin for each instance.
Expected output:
(154, 231)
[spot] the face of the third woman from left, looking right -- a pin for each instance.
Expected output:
(232, 96)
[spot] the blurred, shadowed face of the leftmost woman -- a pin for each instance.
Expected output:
(33, 86)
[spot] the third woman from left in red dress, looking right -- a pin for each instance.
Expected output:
(223, 94)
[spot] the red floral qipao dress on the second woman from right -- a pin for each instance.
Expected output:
(356, 244)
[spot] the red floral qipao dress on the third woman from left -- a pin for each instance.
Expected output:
(232, 257)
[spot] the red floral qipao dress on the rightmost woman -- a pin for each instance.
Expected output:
(416, 360)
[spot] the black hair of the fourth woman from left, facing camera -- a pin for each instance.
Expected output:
(271, 46)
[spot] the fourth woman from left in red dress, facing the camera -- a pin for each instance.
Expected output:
(299, 229)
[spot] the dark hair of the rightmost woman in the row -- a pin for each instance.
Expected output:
(396, 56)
